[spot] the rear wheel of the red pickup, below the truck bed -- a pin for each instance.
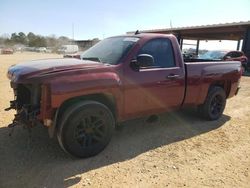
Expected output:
(214, 105)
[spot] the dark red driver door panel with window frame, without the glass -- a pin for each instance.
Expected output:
(149, 91)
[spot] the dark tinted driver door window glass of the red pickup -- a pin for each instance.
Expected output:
(162, 52)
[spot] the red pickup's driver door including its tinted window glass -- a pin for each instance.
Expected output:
(155, 88)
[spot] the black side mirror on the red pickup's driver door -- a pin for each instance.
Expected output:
(142, 60)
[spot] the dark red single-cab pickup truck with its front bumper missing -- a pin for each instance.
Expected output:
(119, 78)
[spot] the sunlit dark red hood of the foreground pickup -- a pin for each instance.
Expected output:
(39, 68)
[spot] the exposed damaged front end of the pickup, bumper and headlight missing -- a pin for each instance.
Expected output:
(26, 103)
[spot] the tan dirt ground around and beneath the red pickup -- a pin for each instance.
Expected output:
(180, 150)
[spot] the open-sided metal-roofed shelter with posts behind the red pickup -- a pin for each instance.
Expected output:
(236, 31)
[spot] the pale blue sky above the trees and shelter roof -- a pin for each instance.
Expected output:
(100, 19)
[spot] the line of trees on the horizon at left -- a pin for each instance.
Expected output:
(33, 40)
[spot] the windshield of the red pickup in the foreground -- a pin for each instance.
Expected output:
(110, 50)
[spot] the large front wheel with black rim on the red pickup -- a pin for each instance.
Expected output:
(85, 129)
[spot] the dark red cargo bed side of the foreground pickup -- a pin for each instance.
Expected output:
(201, 75)
